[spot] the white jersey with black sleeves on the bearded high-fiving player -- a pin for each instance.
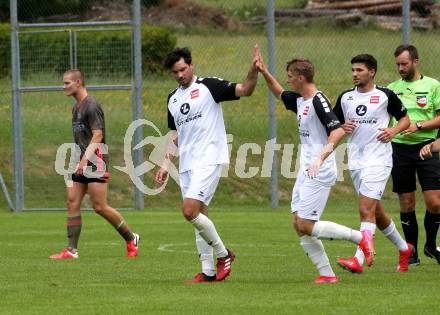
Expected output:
(195, 112)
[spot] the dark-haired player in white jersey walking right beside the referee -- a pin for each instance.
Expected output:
(364, 112)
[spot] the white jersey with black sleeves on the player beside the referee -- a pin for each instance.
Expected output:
(370, 111)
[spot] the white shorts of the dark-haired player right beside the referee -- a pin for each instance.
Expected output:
(371, 181)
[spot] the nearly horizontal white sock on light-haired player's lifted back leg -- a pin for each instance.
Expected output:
(334, 231)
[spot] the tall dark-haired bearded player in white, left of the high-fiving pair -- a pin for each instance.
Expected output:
(194, 111)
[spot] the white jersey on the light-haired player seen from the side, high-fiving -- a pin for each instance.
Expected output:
(315, 122)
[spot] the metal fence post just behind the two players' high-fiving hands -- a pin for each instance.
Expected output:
(272, 112)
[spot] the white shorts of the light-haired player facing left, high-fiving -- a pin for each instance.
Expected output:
(309, 197)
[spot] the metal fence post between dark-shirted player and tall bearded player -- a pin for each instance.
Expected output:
(137, 95)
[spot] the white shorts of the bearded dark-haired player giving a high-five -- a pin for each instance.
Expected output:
(201, 183)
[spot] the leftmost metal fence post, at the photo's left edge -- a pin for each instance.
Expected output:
(16, 111)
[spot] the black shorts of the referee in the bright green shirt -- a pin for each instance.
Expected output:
(407, 162)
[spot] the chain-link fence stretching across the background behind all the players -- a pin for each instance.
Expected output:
(221, 35)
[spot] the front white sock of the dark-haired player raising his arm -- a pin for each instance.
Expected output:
(208, 232)
